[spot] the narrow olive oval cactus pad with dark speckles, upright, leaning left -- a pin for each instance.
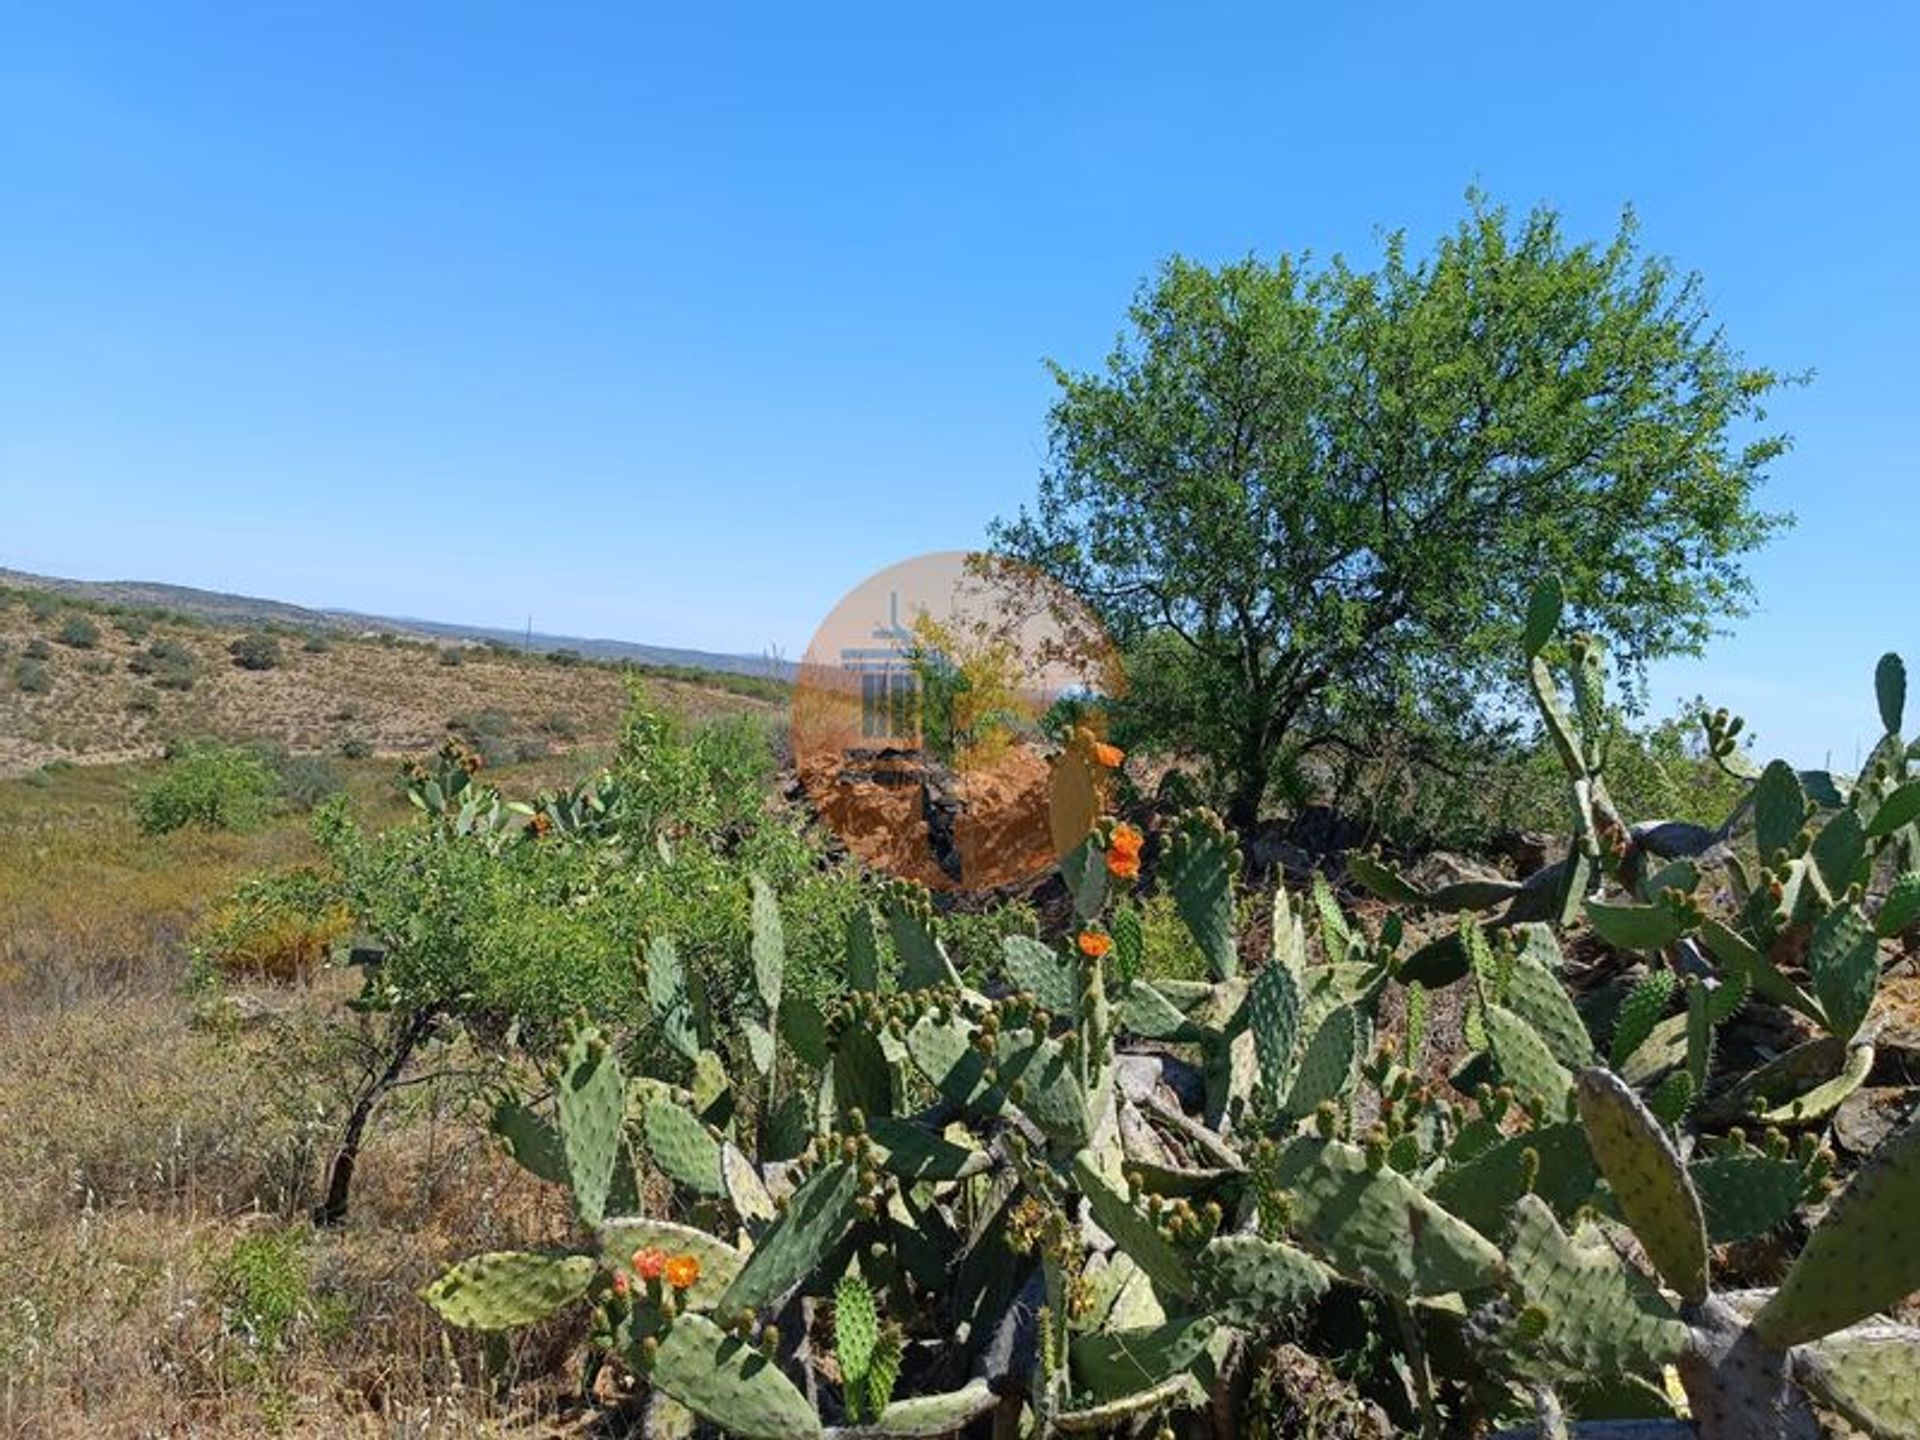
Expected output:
(1648, 1180)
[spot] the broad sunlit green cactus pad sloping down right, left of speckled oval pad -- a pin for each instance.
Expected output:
(1376, 1226)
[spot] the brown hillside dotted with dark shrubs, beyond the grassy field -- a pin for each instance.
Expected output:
(89, 686)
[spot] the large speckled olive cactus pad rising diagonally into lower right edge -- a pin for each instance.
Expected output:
(1861, 1259)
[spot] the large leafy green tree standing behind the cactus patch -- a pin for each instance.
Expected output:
(1312, 500)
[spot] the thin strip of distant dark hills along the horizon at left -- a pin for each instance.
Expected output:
(222, 610)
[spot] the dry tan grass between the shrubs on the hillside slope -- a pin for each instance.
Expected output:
(393, 698)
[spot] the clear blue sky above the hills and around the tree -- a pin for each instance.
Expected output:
(671, 327)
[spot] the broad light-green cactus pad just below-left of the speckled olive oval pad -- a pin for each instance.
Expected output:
(1593, 1312)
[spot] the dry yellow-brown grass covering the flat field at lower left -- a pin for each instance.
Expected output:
(158, 1157)
